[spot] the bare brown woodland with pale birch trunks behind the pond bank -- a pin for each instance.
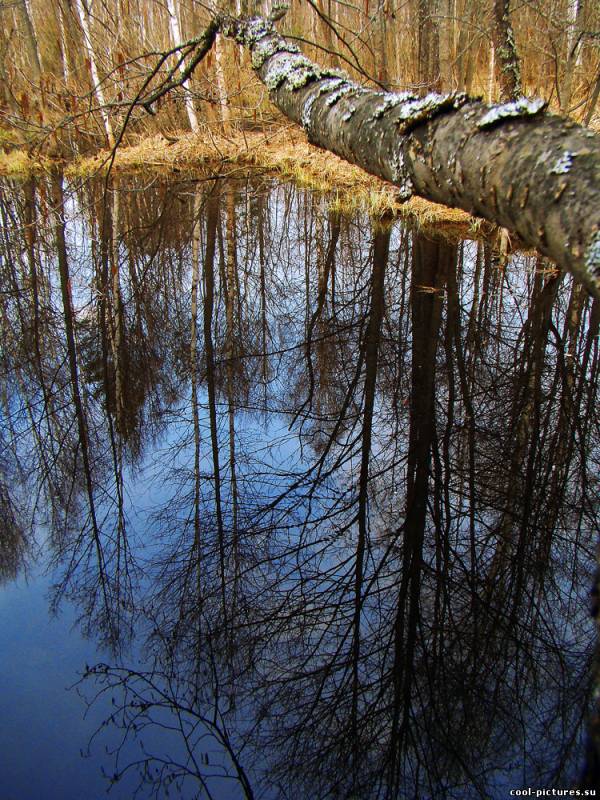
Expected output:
(69, 69)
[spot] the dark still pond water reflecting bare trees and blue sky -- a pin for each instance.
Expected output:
(307, 503)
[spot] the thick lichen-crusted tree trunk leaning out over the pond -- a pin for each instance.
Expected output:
(534, 173)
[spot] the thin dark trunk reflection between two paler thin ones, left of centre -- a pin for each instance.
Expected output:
(212, 219)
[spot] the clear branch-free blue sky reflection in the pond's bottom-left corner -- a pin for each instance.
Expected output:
(43, 727)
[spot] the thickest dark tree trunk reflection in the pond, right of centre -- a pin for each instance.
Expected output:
(432, 260)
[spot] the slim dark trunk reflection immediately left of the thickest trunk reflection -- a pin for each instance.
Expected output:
(371, 352)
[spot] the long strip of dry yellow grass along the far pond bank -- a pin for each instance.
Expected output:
(286, 152)
